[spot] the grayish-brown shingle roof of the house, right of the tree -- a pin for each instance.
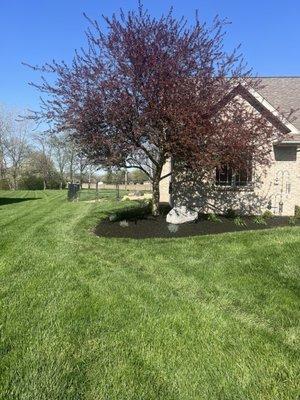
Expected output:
(283, 92)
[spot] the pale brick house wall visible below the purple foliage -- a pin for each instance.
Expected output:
(276, 188)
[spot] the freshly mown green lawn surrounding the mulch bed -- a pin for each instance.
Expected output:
(83, 317)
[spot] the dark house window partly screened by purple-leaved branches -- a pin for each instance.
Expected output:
(225, 176)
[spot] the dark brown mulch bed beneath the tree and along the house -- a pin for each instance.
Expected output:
(151, 227)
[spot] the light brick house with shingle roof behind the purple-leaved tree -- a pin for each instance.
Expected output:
(276, 187)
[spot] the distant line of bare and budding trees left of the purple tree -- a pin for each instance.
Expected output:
(36, 160)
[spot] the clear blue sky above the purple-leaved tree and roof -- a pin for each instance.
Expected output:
(36, 31)
